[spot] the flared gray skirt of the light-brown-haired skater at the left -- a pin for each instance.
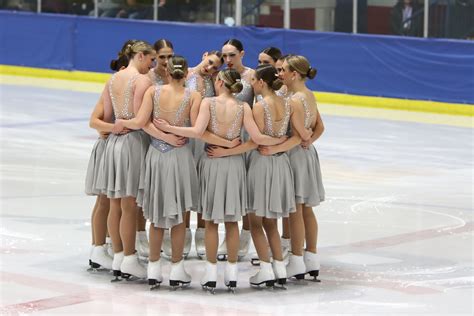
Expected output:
(121, 163)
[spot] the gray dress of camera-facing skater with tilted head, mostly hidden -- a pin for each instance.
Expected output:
(203, 85)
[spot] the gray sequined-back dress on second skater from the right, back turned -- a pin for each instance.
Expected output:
(270, 178)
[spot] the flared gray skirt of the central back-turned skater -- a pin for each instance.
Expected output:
(223, 186)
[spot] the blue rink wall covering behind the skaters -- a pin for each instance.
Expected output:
(368, 65)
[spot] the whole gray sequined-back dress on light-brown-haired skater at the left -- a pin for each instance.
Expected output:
(123, 156)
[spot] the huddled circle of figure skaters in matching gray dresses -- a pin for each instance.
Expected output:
(232, 143)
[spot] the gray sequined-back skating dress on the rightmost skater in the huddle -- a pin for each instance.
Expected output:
(309, 189)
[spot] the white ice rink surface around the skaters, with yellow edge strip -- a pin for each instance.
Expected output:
(396, 230)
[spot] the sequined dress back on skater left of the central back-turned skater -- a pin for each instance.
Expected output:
(176, 120)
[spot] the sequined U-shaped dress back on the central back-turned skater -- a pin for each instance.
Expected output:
(228, 130)
